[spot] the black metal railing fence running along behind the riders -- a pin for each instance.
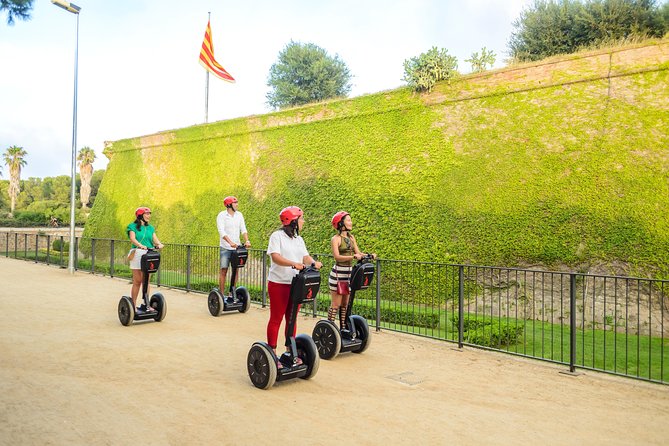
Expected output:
(612, 324)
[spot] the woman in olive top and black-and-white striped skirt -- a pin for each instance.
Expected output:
(345, 250)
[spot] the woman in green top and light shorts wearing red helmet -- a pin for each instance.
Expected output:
(142, 237)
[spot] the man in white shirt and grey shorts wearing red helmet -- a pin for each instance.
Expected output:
(231, 225)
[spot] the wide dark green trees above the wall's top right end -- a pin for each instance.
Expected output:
(550, 27)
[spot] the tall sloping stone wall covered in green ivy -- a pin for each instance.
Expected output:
(558, 163)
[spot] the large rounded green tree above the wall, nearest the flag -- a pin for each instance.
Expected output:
(305, 73)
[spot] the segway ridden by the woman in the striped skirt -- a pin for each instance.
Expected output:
(354, 335)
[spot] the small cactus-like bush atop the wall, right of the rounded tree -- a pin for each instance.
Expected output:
(424, 71)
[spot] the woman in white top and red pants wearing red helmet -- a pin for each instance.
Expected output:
(289, 255)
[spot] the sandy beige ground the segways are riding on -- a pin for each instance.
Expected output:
(70, 373)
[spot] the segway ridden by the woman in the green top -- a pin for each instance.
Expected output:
(126, 310)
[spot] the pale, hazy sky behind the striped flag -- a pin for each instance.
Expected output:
(139, 71)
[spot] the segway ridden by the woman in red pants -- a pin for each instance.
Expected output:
(262, 361)
